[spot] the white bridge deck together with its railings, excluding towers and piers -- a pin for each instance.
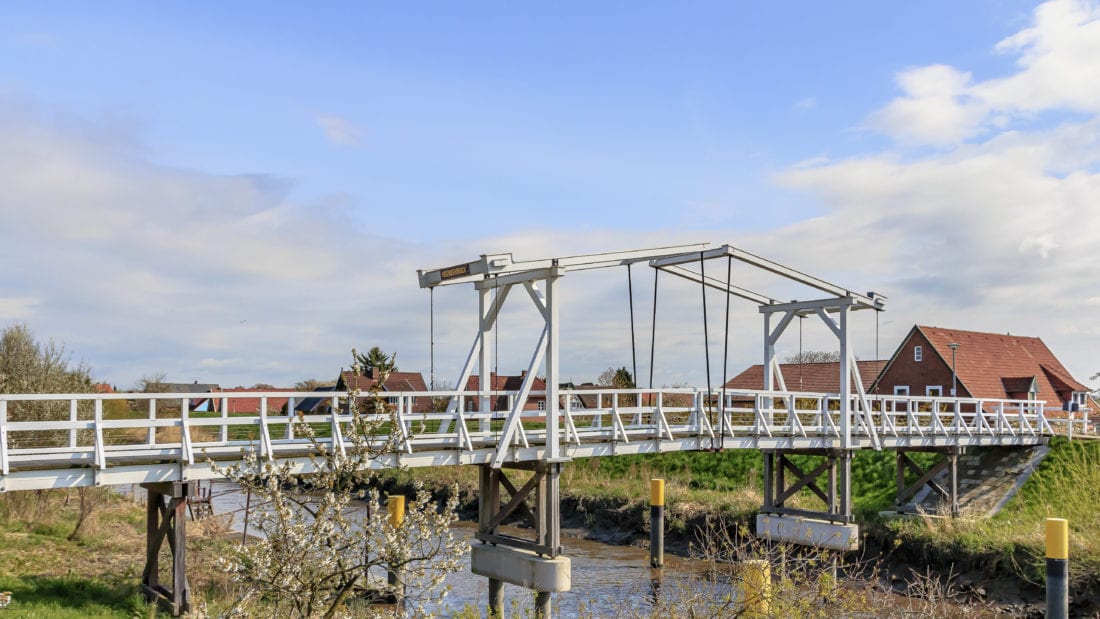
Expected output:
(138, 438)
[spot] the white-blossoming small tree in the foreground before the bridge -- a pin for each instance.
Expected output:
(314, 557)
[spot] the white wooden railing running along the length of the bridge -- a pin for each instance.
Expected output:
(106, 429)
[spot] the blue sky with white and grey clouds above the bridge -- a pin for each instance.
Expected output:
(243, 193)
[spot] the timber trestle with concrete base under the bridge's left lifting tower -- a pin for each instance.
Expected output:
(535, 563)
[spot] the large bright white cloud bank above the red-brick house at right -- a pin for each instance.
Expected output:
(997, 235)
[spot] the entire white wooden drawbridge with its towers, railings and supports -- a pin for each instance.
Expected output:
(72, 440)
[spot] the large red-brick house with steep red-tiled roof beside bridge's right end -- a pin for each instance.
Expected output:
(987, 366)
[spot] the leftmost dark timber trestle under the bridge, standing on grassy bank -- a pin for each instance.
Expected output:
(167, 521)
